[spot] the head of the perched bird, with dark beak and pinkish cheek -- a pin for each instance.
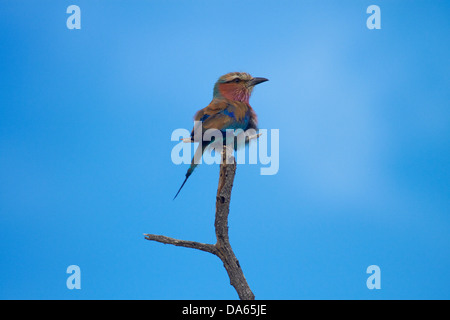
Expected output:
(236, 86)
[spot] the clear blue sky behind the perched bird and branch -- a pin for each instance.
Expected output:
(85, 123)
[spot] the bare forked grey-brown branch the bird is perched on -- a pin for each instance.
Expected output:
(222, 248)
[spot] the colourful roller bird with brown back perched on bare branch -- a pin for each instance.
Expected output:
(229, 109)
